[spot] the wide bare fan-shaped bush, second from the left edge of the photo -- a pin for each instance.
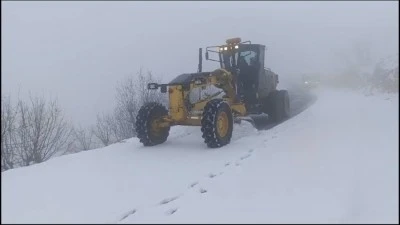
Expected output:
(42, 130)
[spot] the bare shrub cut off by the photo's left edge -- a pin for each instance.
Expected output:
(8, 131)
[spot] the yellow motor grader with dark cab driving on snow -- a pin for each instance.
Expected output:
(244, 89)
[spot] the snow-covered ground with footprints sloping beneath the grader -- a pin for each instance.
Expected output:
(337, 161)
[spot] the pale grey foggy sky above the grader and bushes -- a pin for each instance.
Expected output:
(79, 51)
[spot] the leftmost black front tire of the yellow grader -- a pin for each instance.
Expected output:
(147, 134)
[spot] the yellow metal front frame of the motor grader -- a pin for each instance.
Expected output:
(179, 113)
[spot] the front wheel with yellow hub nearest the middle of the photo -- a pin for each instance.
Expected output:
(217, 123)
